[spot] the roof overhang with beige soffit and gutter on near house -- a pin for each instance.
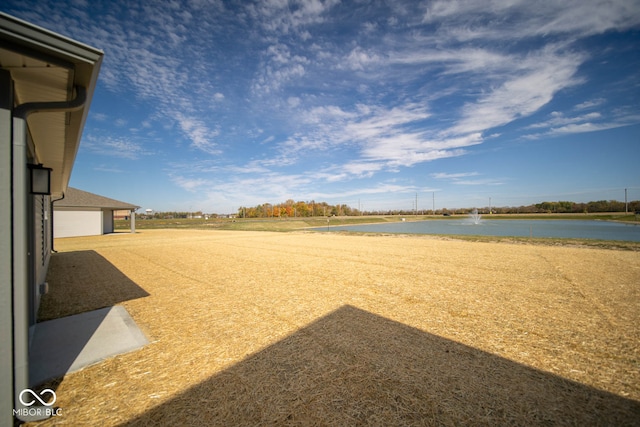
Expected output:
(46, 68)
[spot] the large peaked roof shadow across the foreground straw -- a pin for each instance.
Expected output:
(353, 367)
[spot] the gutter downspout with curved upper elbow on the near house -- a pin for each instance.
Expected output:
(20, 249)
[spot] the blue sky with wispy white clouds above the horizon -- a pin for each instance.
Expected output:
(213, 105)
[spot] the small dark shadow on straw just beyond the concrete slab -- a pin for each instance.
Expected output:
(82, 281)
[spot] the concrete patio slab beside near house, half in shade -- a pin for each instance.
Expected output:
(68, 344)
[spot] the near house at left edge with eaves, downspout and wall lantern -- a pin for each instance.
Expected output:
(46, 85)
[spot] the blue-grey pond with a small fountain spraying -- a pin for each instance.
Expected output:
(601, 230)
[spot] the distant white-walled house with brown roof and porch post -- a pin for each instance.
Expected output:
(81, 213)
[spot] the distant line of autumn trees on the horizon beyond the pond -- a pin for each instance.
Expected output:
(292, 209)
